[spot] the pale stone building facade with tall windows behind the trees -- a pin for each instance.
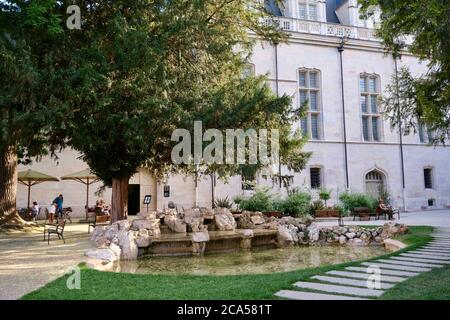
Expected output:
(334, 61)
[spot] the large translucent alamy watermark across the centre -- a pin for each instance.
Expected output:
(239, 146)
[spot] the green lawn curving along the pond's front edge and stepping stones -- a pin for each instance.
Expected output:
(107, 285)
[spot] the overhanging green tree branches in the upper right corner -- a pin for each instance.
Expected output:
(424, 99)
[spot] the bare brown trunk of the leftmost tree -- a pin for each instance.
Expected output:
(8, 188)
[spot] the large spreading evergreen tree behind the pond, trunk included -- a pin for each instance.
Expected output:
(141, 69)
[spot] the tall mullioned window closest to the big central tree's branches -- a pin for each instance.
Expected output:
(309, 90)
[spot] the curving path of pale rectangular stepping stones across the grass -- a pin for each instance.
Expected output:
(359, 282)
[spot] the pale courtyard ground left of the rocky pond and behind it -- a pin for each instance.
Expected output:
(28, 263)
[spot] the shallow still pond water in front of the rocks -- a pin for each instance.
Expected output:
(250, 262)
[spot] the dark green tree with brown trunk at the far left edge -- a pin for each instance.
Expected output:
(30, 50)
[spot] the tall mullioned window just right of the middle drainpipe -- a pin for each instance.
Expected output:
(371, 117)
